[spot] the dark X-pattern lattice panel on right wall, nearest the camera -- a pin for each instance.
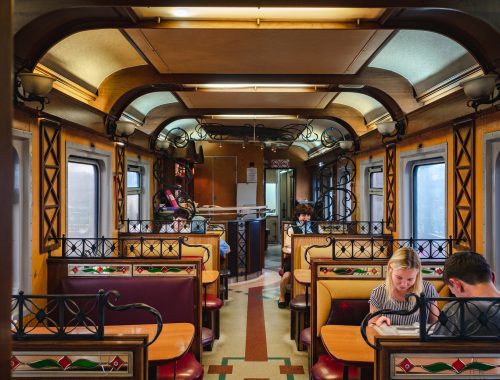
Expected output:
(463, 184)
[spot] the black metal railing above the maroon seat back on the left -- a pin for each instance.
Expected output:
(129, 247)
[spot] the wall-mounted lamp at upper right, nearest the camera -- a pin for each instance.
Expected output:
(481, 90)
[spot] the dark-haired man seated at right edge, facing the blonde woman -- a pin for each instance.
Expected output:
(468, 274)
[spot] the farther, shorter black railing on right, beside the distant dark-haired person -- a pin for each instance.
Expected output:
(339, 227)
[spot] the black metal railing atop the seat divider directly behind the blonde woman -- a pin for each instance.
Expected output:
(374, 248)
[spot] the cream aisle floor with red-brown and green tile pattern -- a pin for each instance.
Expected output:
(281, 359)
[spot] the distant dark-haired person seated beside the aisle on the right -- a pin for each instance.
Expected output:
(302, 225)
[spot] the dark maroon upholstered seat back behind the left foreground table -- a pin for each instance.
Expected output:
(172, 297)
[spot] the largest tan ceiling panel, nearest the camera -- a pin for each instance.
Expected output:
(257, 51)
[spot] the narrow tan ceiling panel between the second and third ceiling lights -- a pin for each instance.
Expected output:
(313, 100)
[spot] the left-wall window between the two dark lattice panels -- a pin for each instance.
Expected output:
(83, 198)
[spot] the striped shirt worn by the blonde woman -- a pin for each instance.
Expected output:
(380, 299)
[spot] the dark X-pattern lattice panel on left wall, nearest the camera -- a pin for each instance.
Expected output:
(50, 184)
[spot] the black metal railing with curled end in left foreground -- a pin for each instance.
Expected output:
(72, 316)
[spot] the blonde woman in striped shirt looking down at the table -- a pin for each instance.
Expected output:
(404, 275)
